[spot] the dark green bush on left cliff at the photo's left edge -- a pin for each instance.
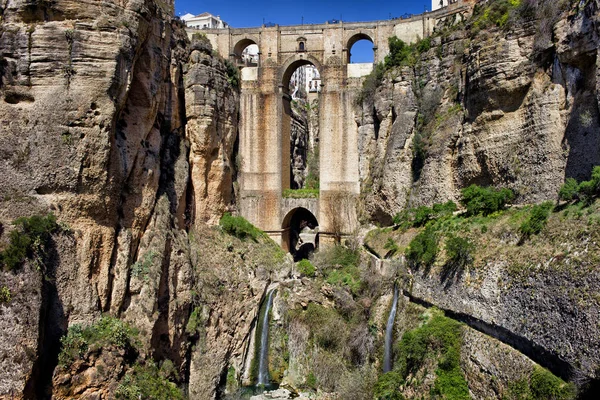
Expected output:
(28, 240)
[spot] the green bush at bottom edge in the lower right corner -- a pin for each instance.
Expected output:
(541, 385)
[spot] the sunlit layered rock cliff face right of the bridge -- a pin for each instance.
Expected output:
(508, 106)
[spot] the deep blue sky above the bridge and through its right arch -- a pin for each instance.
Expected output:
(251, 13)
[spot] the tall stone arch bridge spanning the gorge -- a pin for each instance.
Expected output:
(264, 134)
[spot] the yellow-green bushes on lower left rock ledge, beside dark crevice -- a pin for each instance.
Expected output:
(108, 331)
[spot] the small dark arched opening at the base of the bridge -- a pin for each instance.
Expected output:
(300, 233)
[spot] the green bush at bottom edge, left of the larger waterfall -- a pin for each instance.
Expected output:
(149, 382)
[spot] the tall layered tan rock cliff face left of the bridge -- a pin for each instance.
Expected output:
(115, 124)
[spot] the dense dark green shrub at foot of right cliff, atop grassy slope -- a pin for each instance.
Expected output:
(485, 200)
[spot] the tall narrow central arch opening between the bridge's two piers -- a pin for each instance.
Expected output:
(301, 85)
